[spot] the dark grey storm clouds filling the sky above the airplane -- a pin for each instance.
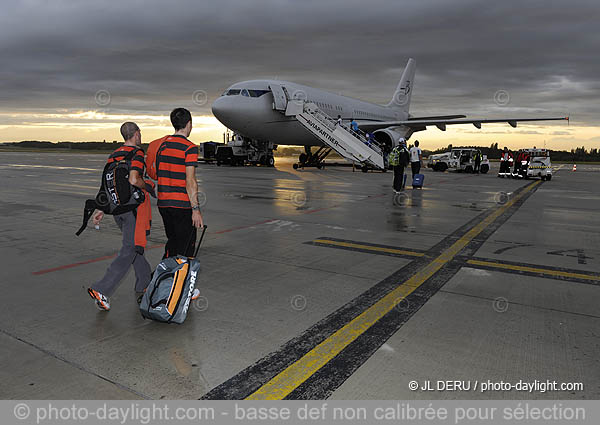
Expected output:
(152, 55)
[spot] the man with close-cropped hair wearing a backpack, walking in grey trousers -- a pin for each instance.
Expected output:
(134, 225)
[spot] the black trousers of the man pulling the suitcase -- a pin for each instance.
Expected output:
(180, 231)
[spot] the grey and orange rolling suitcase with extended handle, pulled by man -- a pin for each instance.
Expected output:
(168, 296)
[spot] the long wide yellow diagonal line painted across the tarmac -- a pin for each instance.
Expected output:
(294, 375)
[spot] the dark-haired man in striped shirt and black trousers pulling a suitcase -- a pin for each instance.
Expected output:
(176, 162)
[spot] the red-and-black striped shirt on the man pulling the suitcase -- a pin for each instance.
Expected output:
(175, 153)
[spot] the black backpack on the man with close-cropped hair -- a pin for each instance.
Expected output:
(116, 194)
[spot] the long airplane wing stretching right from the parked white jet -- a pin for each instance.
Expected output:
(421, 124)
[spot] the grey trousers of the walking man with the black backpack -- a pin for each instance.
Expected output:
(127, 256)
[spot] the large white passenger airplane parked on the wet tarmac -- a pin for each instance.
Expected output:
(255, 111)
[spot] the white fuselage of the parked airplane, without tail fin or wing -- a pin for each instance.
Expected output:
(247, 109)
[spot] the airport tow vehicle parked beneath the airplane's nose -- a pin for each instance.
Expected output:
(239, 150)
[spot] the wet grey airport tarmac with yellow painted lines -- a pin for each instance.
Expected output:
(315, 284)
